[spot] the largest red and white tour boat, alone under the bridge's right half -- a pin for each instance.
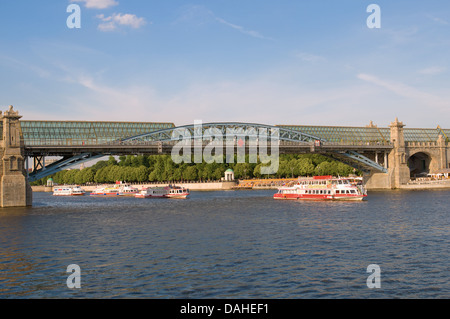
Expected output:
(323, 188)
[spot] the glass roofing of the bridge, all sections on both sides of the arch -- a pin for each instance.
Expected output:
(91, 133)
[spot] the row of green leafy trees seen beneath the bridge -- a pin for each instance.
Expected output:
(161, 168)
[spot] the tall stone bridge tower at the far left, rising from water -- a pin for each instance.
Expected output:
(15, 191)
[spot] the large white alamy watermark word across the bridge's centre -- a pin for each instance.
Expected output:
(235, 137)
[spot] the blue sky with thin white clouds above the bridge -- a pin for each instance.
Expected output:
(272, 62)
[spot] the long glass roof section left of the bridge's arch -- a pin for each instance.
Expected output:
(84, 133)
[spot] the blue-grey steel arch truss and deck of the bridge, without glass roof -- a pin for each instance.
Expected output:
(161, 141)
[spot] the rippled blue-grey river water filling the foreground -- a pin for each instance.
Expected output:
(227, 244)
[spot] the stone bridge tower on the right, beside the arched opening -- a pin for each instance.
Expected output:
(399, 172)
